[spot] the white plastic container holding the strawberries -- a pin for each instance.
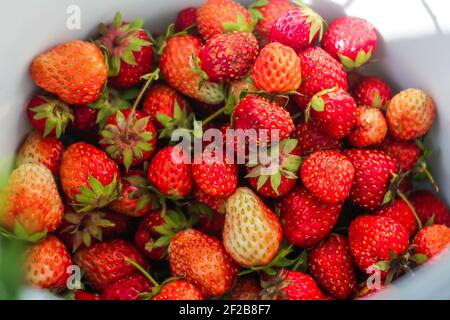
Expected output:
(414, 51)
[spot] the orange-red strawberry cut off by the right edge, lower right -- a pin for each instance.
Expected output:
(432, 240)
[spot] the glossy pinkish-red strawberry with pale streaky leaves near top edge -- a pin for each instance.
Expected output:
(298, 28)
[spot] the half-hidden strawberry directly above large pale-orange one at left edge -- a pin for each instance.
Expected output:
(36, 149)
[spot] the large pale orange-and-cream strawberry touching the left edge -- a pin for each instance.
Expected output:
(31, 202)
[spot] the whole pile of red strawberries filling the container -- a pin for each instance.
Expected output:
(99, 184)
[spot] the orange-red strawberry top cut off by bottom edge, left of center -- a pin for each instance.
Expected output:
(179, 290)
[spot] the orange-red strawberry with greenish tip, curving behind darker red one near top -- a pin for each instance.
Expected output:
(176, 66)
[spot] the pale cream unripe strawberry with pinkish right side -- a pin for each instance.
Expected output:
(252, 232)
